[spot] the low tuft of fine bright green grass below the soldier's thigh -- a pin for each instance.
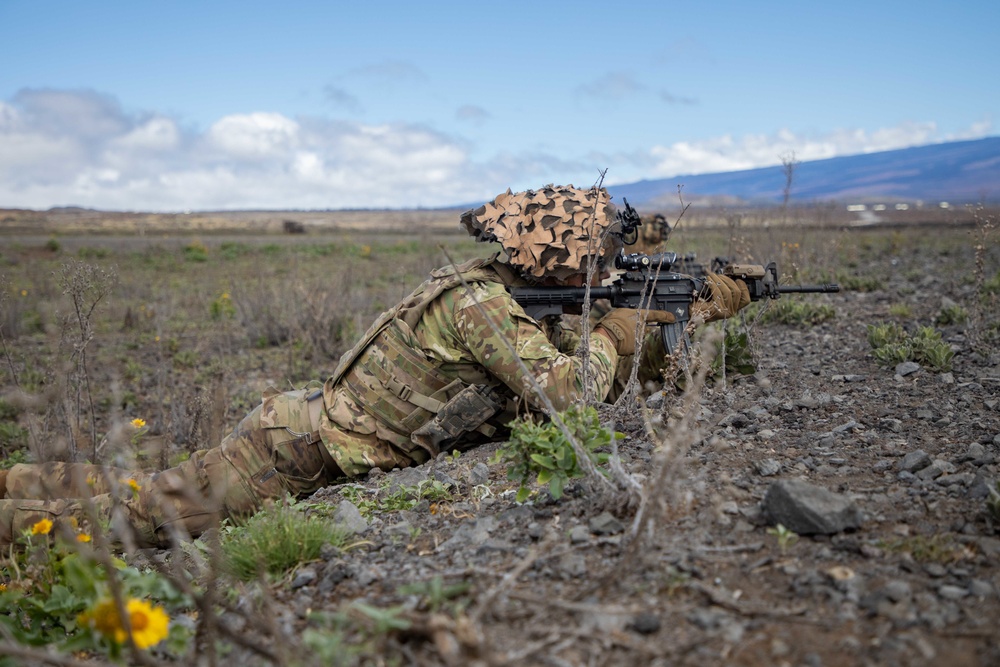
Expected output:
(277, 540)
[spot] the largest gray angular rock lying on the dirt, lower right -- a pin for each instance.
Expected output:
(808, 509)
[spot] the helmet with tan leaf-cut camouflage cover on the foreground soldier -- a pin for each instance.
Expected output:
(548, 232)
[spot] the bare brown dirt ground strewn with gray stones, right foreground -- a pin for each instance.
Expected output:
(560, 583)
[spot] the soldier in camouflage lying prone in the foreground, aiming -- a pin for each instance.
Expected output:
(446, 368)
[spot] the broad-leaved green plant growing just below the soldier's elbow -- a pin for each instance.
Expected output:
(542, 450)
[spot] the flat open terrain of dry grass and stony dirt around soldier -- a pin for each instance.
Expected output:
(190, 327)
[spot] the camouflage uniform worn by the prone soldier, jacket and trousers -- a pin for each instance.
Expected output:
(429, 375)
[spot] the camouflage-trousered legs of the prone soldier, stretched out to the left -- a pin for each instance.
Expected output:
(275, 450)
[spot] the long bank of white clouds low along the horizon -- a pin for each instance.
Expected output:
(79, 147)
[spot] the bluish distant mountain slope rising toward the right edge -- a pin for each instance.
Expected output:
(958, 171)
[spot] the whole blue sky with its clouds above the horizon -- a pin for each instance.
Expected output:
(231, 105)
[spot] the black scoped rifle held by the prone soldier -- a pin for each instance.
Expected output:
(650, 282)
